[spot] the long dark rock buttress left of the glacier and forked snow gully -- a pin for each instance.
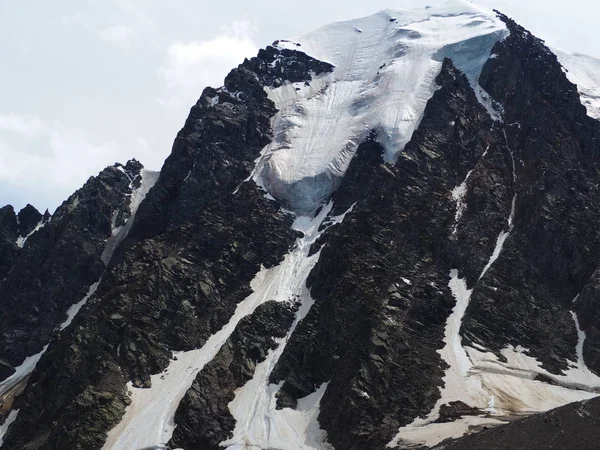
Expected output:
(197, 240)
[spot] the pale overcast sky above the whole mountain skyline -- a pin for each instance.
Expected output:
(86, 83)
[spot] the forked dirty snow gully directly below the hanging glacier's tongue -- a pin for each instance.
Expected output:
(150, 418)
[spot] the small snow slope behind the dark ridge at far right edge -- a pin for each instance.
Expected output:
(584, 71)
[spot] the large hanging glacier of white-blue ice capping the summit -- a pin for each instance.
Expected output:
(385, 70)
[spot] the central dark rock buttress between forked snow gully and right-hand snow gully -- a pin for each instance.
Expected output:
(381, 284)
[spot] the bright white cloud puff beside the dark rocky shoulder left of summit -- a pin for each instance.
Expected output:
(191, 66)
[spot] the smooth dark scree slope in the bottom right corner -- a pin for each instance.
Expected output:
(576, 425)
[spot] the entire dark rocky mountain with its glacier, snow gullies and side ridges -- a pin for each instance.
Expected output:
(381, 234)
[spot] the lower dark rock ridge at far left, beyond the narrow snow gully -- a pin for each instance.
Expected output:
(59, 262)
